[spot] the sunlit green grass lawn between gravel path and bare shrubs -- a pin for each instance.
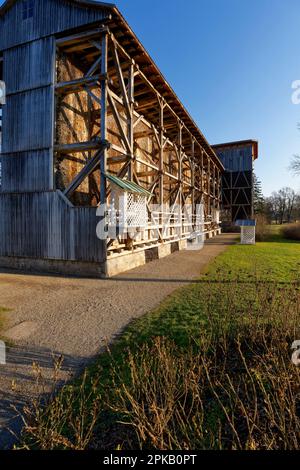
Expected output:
(234, 280)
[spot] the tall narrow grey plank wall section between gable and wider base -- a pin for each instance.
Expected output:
(27, 156)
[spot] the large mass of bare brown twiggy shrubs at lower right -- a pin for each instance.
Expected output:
(239, 394)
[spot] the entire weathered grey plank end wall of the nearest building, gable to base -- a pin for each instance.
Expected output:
(37, 222)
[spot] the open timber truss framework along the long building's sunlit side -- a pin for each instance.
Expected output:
(111, 116)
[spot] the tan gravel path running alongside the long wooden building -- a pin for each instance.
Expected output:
(74, 318)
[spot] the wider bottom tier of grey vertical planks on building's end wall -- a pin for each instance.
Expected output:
(44, 226)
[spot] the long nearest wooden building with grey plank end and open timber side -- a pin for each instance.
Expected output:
(85, 99)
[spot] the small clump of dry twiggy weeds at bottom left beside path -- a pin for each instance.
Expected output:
(73, 412)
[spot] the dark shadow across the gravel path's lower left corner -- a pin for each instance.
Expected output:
(30, 374)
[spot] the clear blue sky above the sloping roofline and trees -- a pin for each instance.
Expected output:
(232, 63)
